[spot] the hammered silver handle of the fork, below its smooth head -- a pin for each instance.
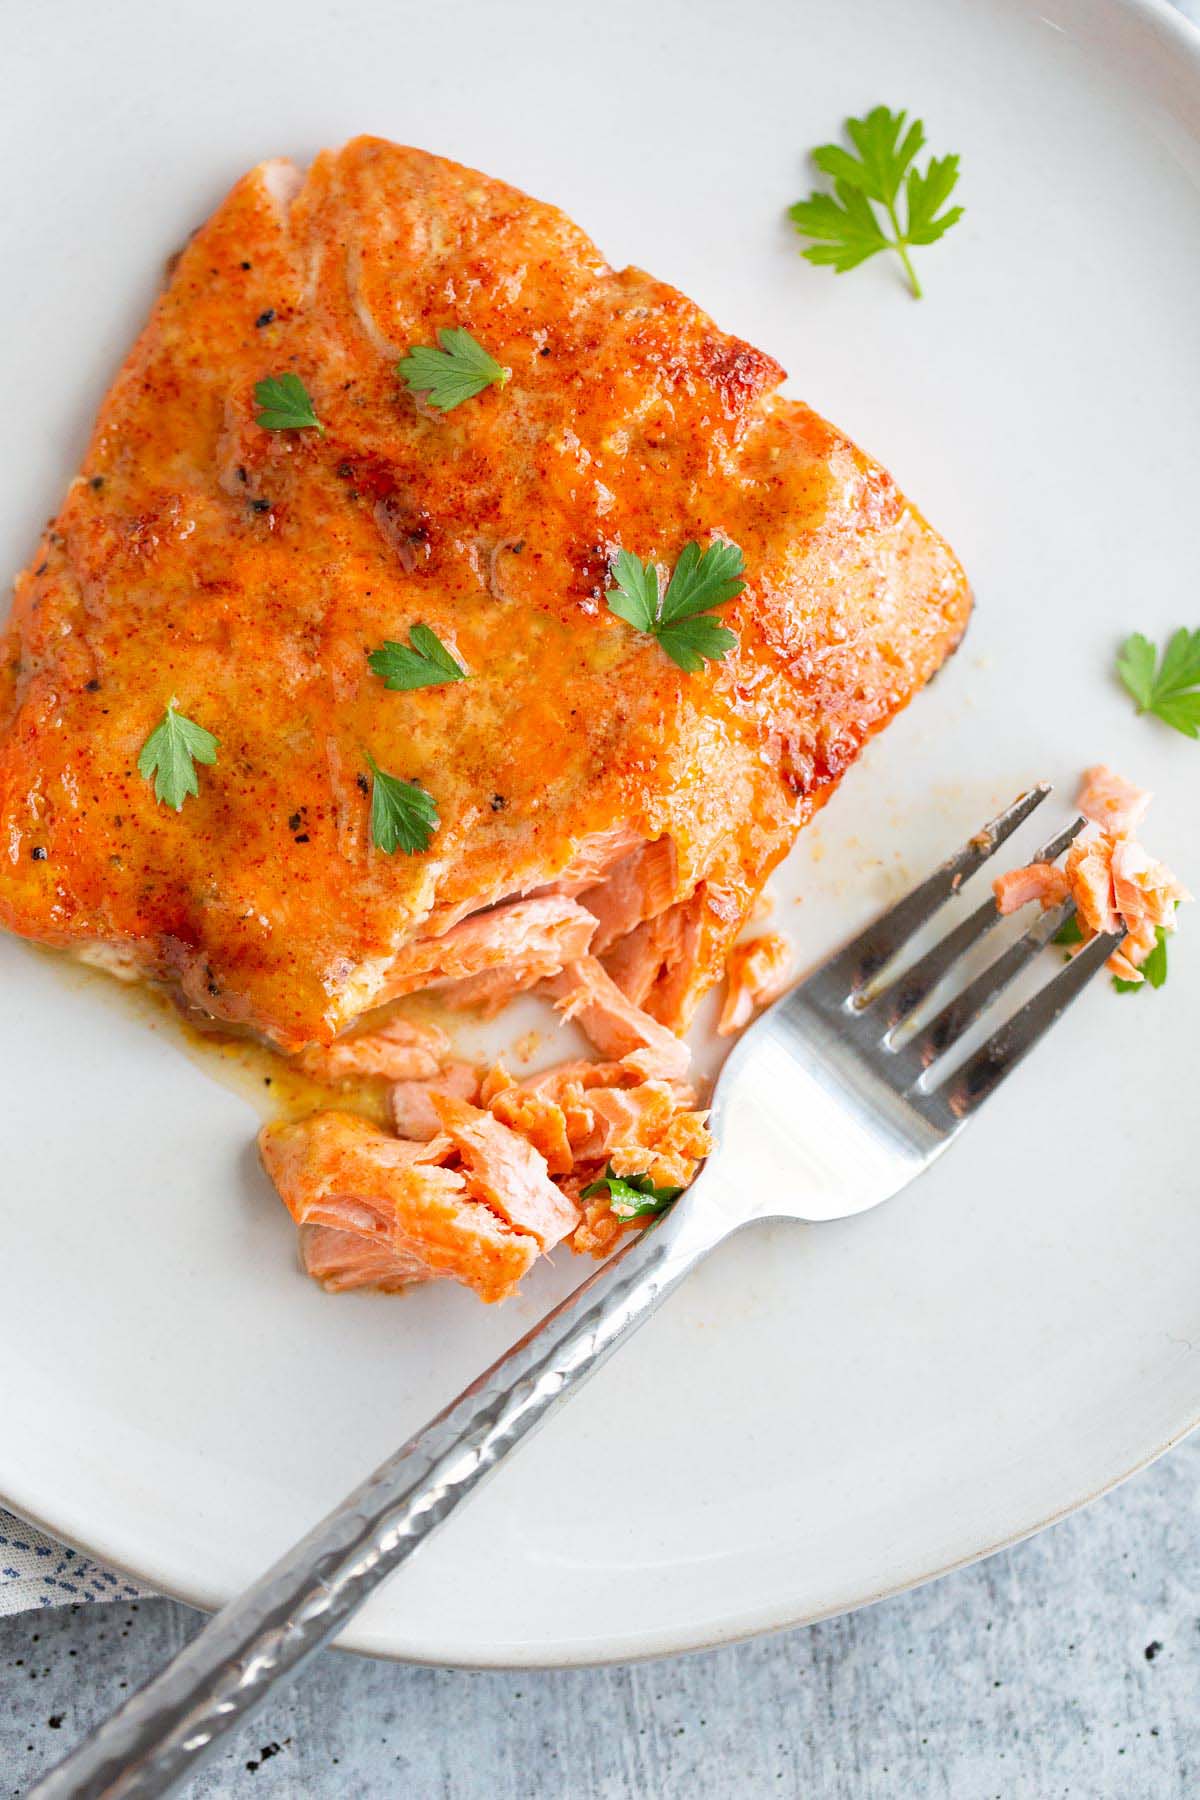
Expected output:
(165, 1732)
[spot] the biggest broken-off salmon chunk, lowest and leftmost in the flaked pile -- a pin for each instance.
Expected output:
(343, 1173)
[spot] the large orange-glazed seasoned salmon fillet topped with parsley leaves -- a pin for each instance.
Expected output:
(247, 573)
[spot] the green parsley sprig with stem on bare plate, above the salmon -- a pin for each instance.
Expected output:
(846, 226)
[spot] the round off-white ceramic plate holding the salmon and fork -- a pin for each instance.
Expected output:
(827, 1416)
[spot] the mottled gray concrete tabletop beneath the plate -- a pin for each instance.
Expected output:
(1070, 1666)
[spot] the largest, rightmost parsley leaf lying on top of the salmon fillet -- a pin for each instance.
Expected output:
(681, 618)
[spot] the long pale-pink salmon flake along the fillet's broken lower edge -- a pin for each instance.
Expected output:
(530, 939)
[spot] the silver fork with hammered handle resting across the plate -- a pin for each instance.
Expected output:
(823, 1110)
